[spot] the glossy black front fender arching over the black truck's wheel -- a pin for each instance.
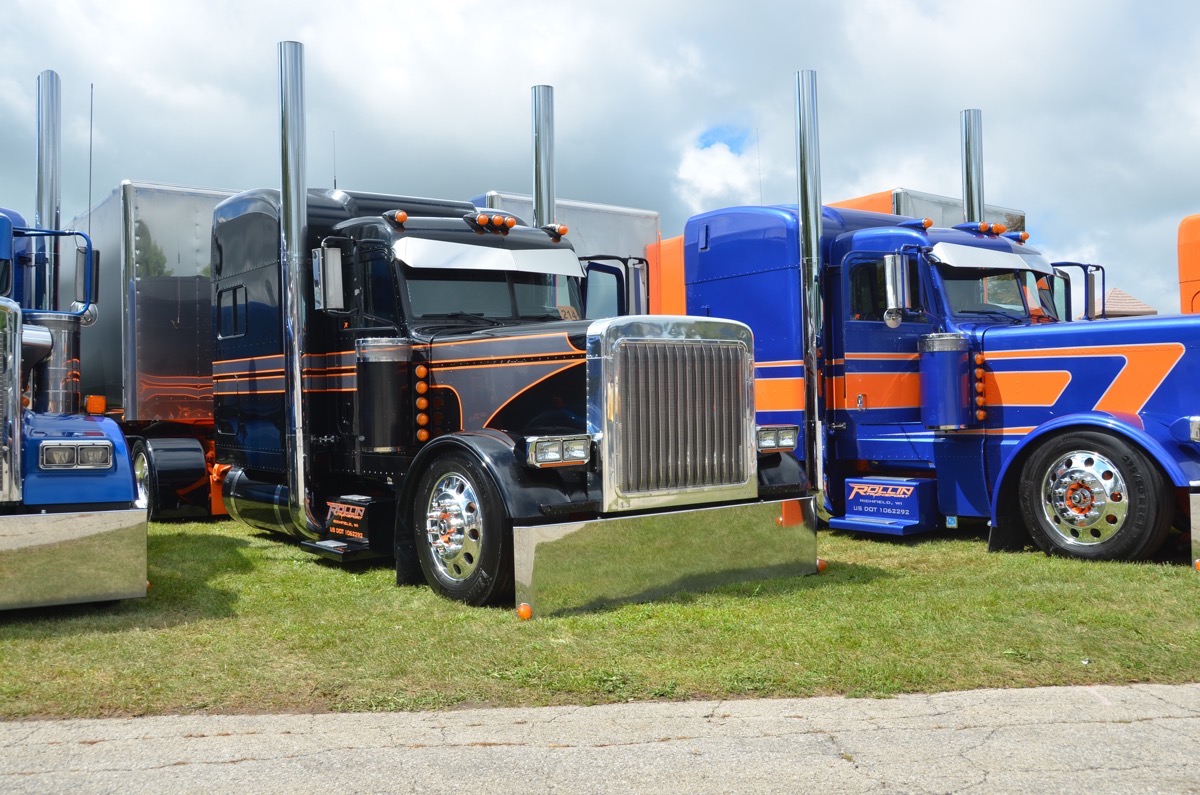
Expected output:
(524, 489)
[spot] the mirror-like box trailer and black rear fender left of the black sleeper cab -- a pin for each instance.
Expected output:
(151, 350)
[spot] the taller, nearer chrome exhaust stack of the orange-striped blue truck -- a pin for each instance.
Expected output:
(808, 187)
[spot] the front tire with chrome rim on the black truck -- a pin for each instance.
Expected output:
(464, 537)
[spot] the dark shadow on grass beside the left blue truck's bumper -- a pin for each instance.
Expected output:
(182, 571)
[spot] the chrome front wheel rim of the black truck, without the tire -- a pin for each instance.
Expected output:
(454, 528)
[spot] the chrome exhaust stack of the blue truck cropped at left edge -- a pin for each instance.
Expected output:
(50, 158)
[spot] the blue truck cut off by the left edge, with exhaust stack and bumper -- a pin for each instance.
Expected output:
(70, 528)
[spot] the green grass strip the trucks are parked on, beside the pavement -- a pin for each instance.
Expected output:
(238, 621)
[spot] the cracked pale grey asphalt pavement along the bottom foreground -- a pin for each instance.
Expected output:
(1097, 740)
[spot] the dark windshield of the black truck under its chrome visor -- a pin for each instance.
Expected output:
(436, 294)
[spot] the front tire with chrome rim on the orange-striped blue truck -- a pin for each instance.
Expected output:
(1094, 497)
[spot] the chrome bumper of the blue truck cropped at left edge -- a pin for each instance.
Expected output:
(63, 559)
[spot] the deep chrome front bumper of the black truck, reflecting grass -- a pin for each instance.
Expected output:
(590, 565)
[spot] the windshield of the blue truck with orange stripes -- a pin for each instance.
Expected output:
(983, 292)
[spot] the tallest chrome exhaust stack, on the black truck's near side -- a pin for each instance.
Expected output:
(293, 236)
